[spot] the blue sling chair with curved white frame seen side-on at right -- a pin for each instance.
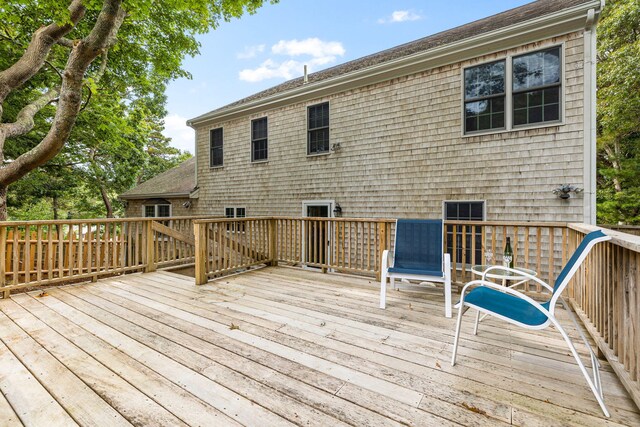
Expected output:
(517, 308)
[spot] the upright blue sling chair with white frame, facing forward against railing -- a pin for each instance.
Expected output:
(417, 256)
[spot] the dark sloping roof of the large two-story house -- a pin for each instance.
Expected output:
(511, 17)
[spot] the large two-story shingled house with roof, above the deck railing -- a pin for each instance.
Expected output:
(480, 122)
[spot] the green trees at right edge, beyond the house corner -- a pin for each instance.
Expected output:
(619, 113)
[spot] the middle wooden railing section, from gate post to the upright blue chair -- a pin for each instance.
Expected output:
(337, 244)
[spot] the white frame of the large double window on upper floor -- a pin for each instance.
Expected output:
(508, 102)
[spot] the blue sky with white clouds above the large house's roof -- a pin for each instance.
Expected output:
(259, 51)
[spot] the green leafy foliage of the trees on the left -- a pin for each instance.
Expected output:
(117, 141)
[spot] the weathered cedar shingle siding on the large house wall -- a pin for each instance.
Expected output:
(402, 151)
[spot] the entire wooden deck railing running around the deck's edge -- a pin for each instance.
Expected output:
(604, 292)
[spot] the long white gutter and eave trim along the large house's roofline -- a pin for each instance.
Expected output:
(561, 22)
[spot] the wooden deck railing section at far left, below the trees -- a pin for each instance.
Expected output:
(49, 252)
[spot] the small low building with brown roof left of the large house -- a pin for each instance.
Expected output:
(166, 194)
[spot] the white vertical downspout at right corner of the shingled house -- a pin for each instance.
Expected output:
(589, 111)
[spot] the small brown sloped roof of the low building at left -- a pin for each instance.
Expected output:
(176, 182)
